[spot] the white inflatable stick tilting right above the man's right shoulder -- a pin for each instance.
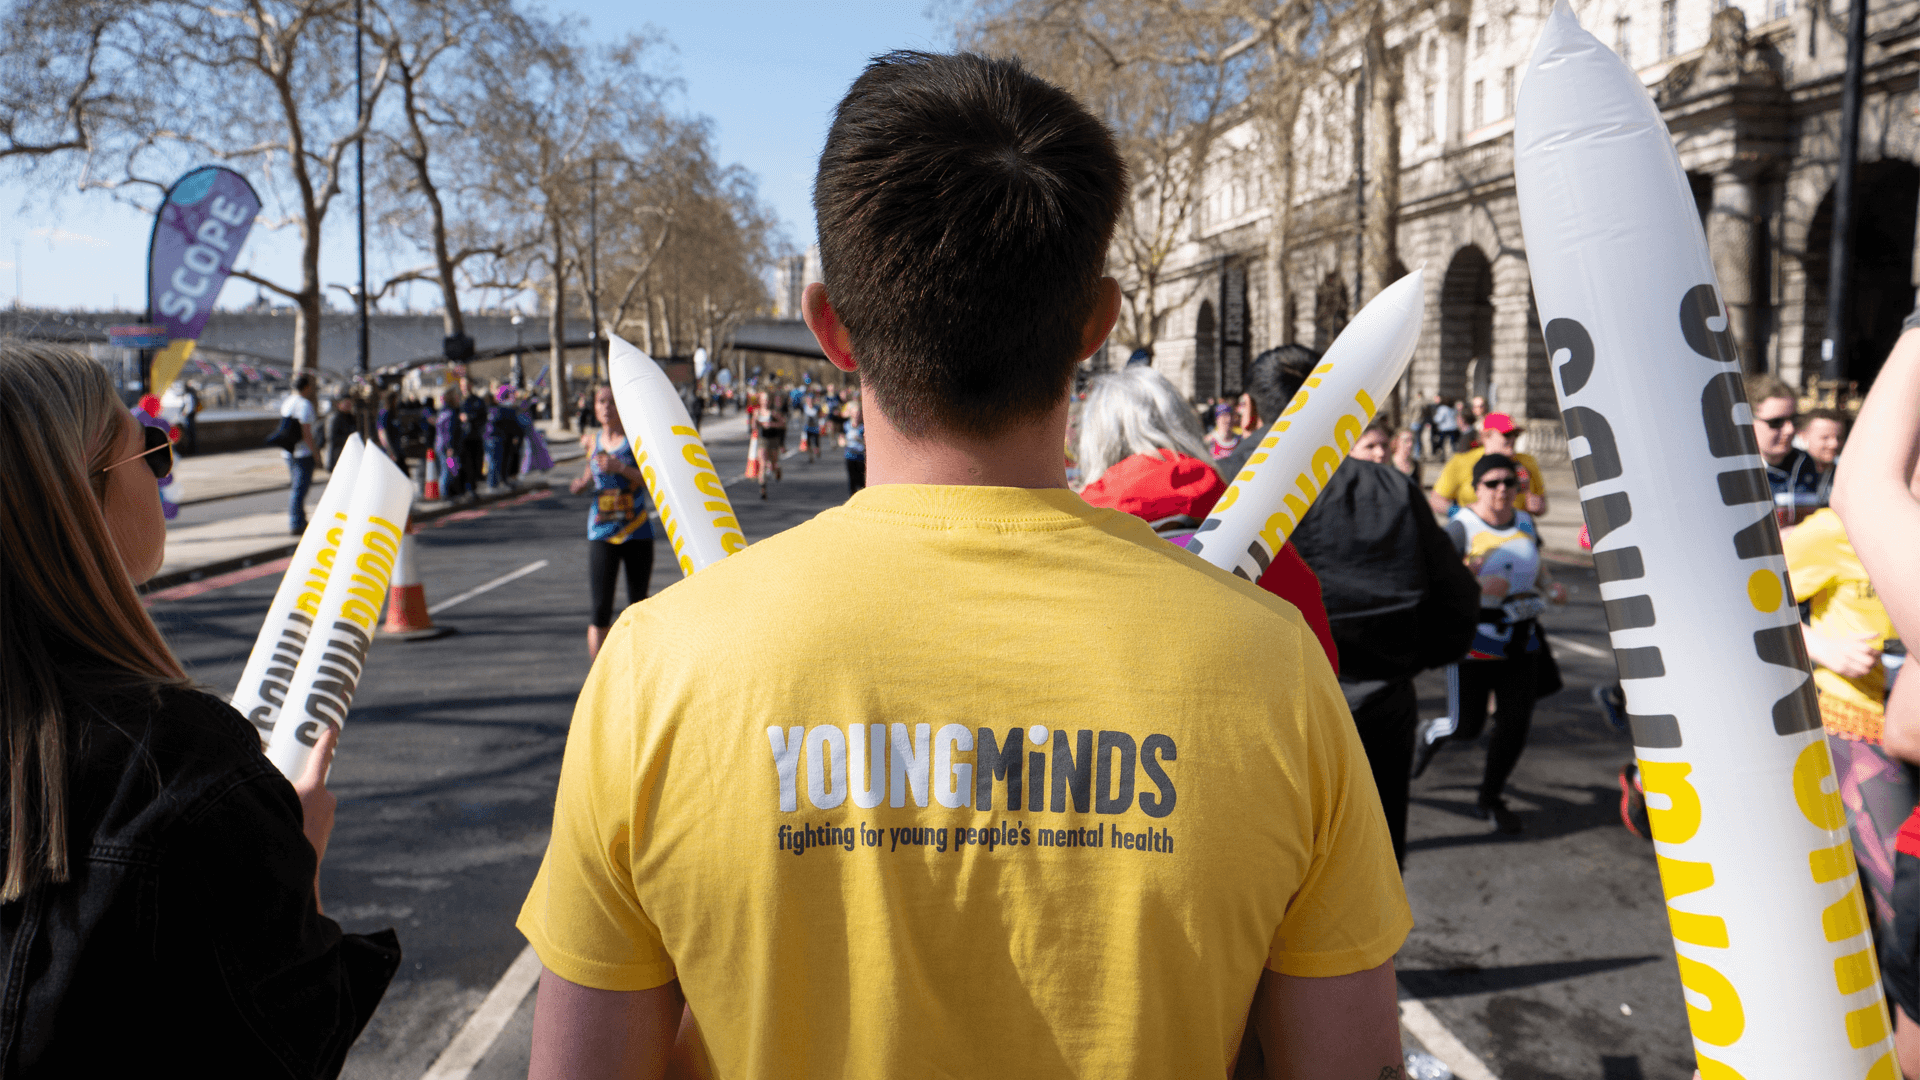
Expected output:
(1316, 433)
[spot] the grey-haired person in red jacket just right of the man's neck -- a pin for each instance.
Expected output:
(1143, 454)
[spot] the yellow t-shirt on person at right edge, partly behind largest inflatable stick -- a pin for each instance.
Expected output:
(1827, 574)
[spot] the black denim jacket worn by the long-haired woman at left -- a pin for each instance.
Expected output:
(189, 933)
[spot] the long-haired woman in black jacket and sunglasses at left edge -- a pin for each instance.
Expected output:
(160, 877)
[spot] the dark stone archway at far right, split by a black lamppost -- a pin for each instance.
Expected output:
(1881, 283)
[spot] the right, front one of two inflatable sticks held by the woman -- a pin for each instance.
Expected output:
(322, 689)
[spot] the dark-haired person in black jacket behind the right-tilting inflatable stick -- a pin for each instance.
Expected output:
(1399, 597)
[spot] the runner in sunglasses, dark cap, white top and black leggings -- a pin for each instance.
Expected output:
(1502, 549)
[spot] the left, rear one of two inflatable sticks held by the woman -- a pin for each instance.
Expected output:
(283, 635)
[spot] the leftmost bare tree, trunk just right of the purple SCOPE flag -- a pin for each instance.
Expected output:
(153, 87)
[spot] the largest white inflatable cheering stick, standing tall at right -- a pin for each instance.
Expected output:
(1752, 837)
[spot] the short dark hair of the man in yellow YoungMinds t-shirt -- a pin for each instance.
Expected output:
(965, 214)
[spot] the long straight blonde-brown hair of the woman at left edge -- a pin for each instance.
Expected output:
(72, 627)
